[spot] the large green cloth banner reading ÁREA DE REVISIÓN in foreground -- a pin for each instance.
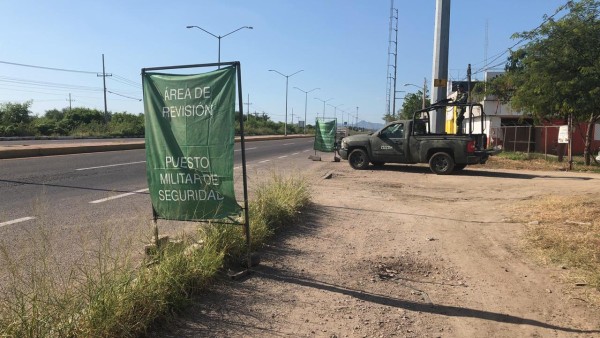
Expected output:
(189, 144)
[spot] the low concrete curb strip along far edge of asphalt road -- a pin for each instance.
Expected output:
(21, 151)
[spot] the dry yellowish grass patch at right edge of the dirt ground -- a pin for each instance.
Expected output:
(565, 230)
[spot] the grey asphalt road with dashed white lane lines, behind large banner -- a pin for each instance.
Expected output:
(73, 198)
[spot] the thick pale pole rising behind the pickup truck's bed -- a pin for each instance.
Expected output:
(441, 43)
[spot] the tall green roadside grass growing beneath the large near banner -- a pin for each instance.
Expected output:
(113, 297)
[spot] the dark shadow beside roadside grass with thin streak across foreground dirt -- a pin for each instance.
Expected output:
(228, 307)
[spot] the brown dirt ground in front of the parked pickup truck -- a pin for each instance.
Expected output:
(400, 252)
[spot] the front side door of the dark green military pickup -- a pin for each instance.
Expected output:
(390, 144)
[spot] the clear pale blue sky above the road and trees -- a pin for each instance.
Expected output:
(339, 46)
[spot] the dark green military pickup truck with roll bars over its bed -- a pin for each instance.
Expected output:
(410, 141)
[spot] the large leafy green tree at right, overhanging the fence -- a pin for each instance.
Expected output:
(557, 73)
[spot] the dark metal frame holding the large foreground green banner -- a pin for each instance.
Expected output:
(246, 223)
